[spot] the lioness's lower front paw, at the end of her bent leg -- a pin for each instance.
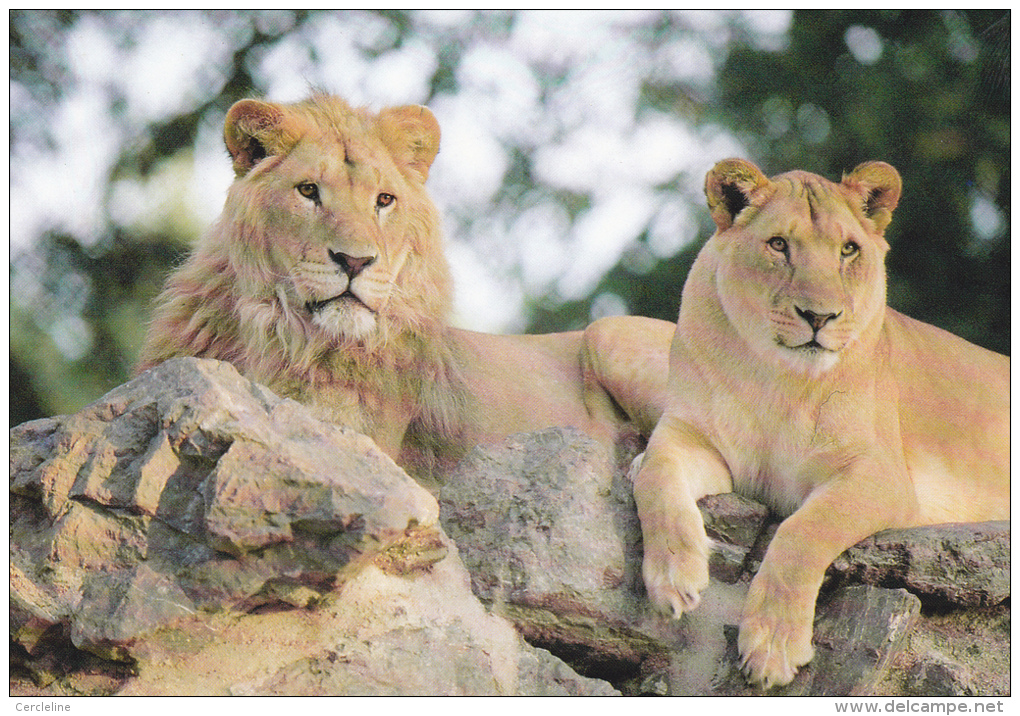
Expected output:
(776, 639)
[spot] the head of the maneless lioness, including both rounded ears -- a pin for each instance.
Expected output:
(801, 271)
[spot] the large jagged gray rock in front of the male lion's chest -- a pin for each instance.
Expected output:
(210, 482)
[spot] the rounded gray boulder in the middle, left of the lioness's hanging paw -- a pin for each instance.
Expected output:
(547, 528)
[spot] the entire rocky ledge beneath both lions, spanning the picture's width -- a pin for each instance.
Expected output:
(193, 534)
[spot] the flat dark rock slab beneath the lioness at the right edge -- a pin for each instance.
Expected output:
(958, 565)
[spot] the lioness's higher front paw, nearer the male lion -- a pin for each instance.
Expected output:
(677, 573)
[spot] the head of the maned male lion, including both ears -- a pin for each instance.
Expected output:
(339, 228)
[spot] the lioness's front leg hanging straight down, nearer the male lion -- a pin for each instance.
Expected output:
(678, 470)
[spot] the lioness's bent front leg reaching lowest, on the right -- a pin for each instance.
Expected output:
(778, 622)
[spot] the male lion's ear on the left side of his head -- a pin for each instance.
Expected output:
(256, 130)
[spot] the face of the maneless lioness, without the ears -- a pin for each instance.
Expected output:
(804, 274)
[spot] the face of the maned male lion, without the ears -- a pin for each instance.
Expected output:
(339, 240)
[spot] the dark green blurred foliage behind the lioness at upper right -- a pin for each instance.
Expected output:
(936, 105)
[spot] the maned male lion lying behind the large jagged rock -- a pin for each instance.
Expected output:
(325, 279)
